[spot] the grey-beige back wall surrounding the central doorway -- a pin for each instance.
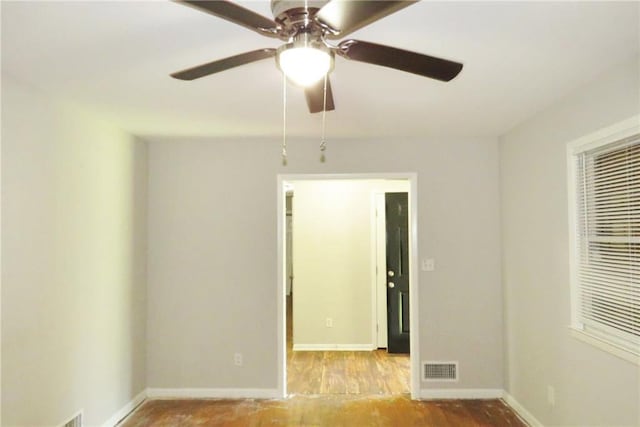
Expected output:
(213, 253)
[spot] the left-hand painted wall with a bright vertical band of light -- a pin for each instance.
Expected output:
(73, 263)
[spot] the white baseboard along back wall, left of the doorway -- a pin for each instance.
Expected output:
(213, 393)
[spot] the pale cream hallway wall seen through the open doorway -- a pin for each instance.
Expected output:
(334, 264)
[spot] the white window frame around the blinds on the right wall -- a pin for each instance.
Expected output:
(599, 338)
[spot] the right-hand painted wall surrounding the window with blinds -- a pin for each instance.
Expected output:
(592, 387)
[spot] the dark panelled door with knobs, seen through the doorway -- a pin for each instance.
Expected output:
(397, 230)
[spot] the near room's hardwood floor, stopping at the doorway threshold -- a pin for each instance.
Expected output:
(330, 411)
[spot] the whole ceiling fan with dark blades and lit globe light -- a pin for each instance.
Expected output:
(307, 57)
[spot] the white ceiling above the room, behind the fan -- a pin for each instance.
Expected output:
(115, 58)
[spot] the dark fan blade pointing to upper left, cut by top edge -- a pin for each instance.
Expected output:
(237, 14)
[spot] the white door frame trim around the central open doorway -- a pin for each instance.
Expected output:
(413, 270)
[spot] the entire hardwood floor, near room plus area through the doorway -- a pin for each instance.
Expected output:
(332, 389)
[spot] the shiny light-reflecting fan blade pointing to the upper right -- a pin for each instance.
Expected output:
(346, 16)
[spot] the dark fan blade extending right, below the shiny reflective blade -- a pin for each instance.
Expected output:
(403, 60)
